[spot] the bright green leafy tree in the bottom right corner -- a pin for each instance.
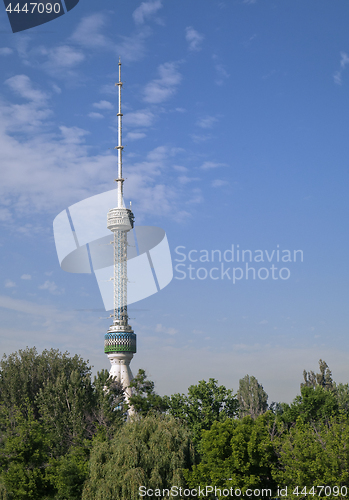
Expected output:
(314, 454)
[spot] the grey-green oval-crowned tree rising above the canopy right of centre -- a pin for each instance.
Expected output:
(252, 397)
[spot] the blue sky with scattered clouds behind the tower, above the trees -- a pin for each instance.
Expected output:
(236, 133)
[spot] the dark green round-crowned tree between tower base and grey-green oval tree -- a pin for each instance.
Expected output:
(205, 403)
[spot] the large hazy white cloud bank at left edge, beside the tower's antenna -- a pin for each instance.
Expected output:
(44, 171)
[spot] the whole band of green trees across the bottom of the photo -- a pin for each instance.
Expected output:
(64, 437)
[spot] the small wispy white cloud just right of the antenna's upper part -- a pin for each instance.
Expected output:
(163, 88)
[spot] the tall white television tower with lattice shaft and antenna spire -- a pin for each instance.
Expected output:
(120, 340)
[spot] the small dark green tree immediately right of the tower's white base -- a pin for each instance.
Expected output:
(144, 399)
